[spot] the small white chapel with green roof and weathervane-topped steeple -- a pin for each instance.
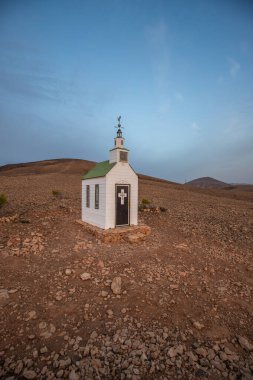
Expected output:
(110, 189)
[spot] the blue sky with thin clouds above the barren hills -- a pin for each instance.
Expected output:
(180, 73)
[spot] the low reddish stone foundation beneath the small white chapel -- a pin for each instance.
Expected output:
(131, 234)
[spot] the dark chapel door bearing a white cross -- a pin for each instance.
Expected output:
(122, 205)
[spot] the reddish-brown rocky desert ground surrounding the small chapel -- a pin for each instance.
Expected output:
(184, 309)
